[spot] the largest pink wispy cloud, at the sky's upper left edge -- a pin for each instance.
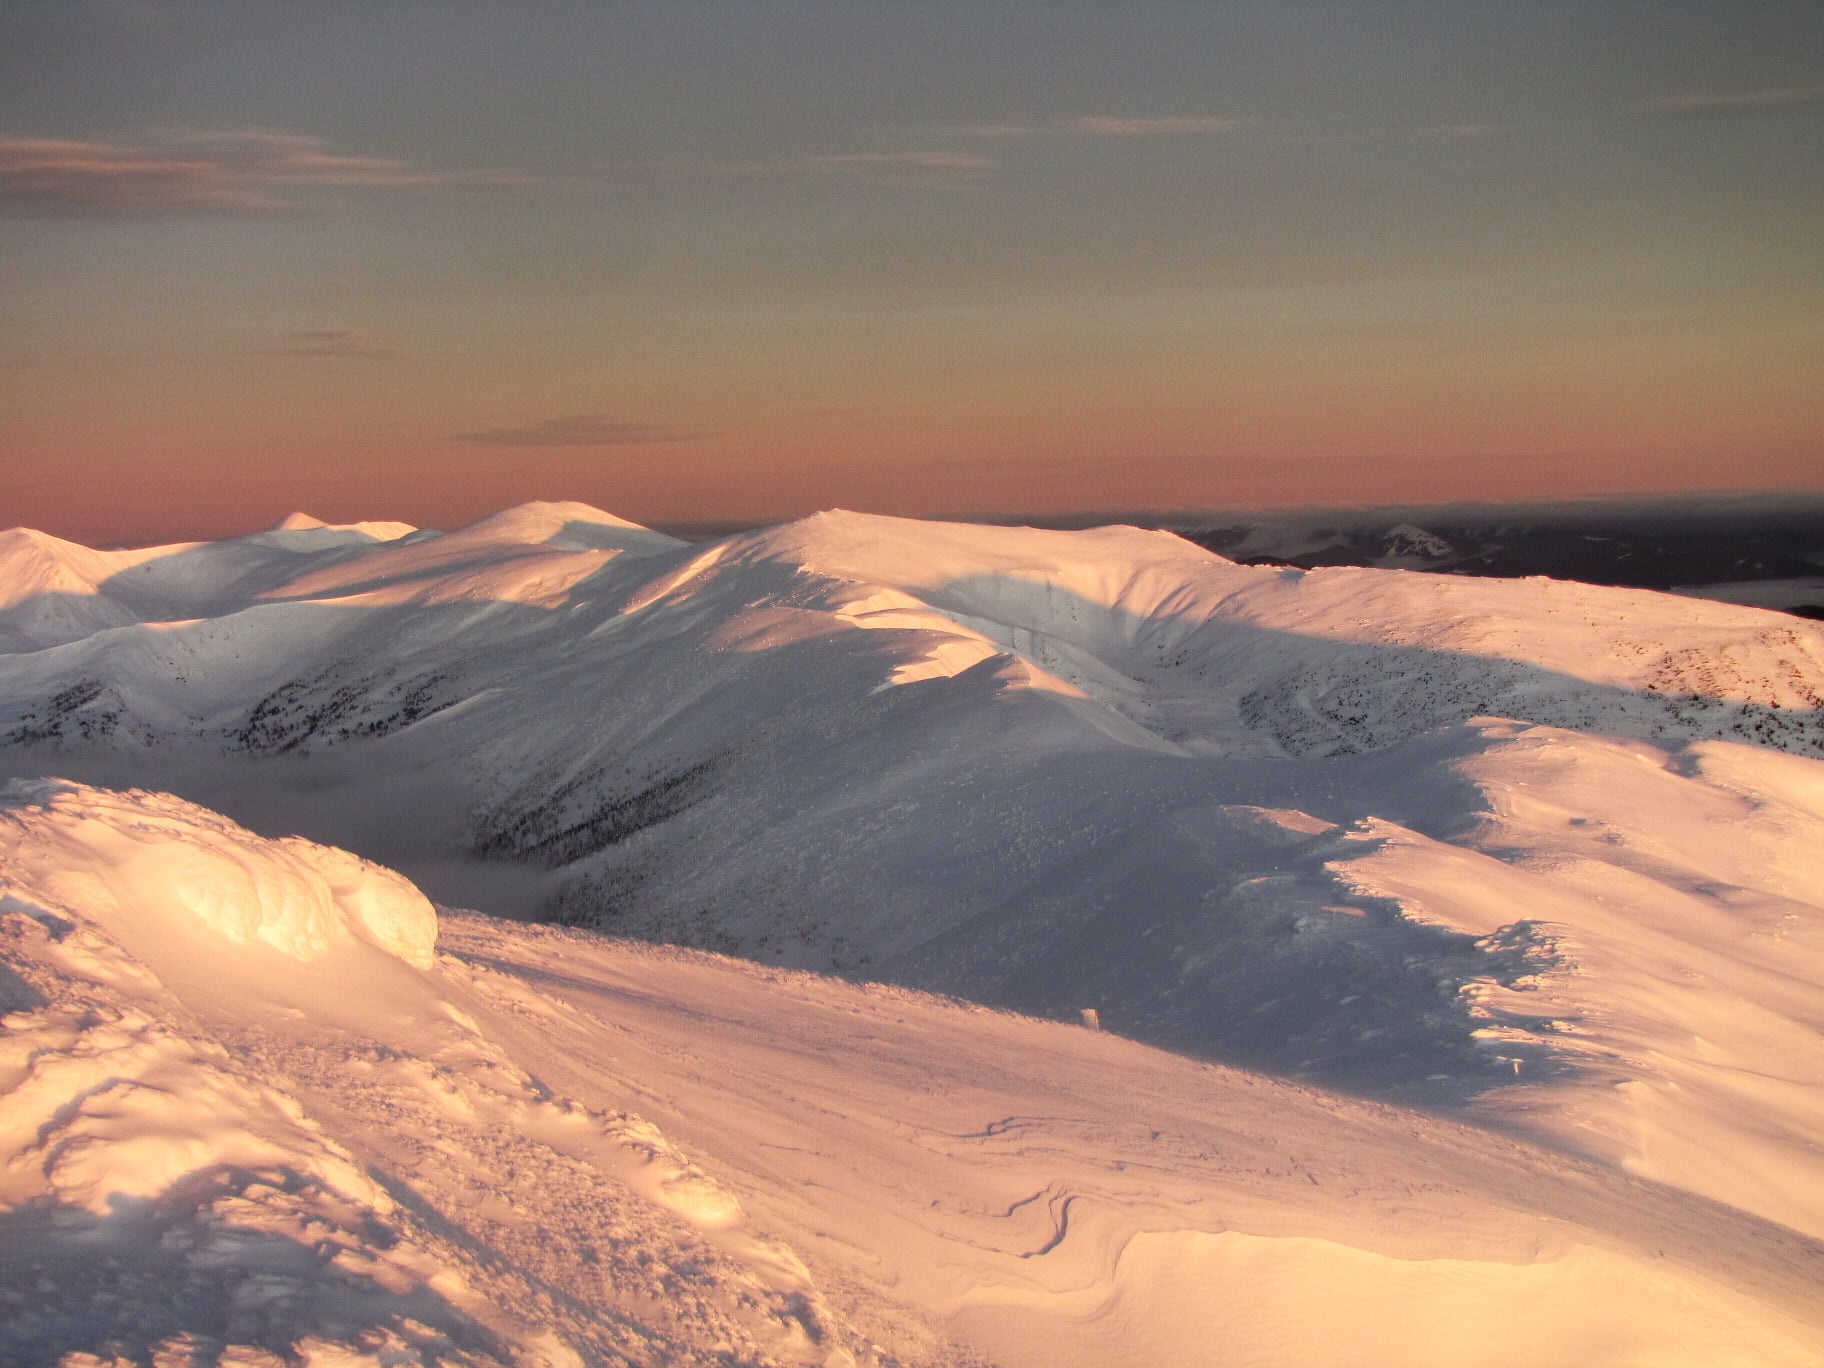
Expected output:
(234, 174)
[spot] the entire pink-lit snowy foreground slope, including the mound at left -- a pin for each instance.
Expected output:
(539, 1146)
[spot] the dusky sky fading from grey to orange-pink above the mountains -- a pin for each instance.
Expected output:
(743, 262)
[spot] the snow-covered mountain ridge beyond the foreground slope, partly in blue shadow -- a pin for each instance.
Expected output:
(1531, 853)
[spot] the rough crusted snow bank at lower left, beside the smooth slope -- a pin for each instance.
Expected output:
(203, 1163)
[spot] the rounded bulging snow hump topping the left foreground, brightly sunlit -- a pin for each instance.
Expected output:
(161, 860)
